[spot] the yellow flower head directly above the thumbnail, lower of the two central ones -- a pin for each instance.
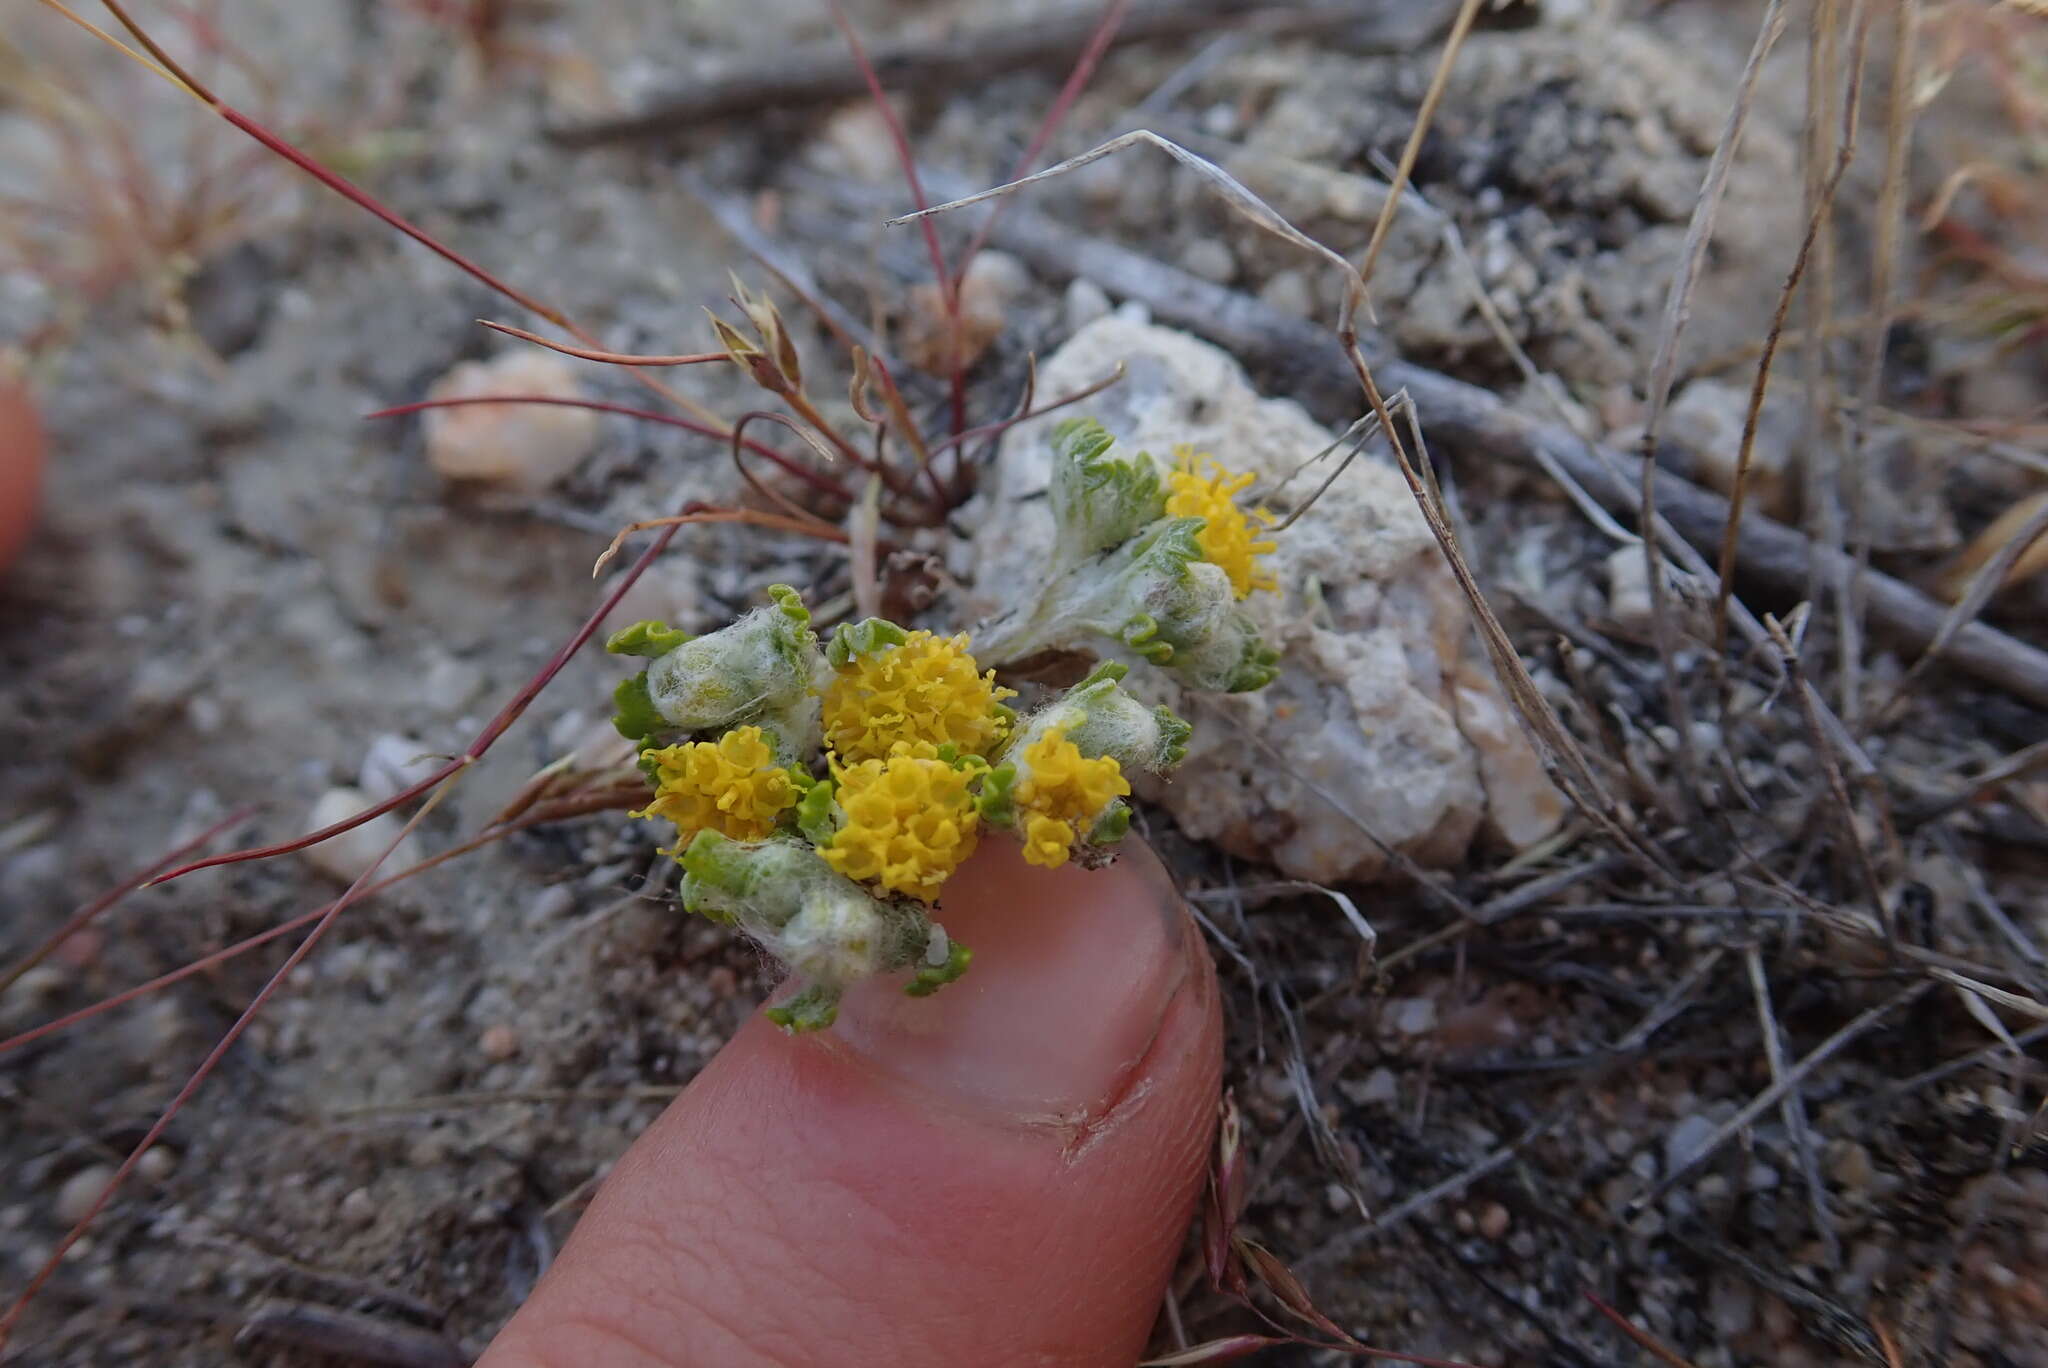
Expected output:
(910, 820)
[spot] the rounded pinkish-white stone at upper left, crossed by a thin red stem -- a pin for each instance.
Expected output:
(519, 445)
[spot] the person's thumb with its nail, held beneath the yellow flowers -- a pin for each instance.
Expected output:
(1000, 1174)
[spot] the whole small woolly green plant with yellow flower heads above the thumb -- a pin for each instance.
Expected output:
(822, 794)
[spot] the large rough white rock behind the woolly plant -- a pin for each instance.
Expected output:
(1373, 628)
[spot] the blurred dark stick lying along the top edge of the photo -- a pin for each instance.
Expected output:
(824, 73)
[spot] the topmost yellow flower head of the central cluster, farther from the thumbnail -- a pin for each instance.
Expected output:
(921, 689)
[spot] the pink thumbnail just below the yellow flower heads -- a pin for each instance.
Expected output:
(1074, 974)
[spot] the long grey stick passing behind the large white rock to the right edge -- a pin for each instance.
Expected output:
(1471, 419)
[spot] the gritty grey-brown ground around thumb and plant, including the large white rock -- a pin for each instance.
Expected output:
(247, 599)
